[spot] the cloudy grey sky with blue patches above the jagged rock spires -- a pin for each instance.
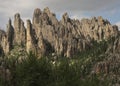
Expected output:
(108, 9)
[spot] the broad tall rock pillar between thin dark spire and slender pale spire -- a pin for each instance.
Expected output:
(19, 30)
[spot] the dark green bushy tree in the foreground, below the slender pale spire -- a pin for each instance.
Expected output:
(32, 71)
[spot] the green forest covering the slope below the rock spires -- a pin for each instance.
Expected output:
(33, 71)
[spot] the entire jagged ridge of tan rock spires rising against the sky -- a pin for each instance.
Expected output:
(45, 34)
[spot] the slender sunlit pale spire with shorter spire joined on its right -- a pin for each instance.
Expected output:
(34, 44)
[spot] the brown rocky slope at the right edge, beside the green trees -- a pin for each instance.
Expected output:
(110, 64)
